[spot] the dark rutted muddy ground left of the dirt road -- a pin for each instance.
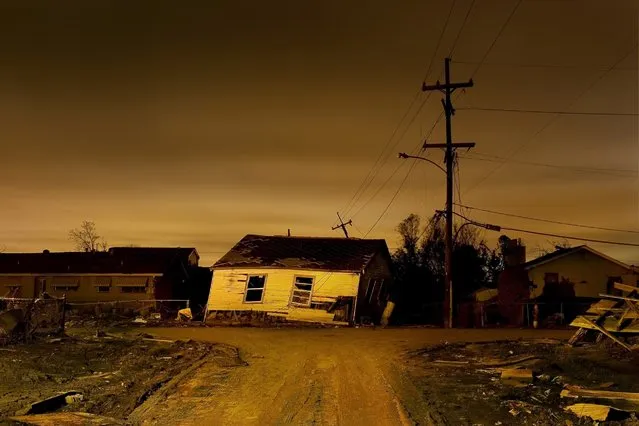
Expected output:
(114, 375)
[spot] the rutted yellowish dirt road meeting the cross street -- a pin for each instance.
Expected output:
(307, 376)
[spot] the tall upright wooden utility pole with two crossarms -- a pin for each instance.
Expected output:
(447, 89)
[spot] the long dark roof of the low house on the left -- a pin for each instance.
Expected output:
(122, 260)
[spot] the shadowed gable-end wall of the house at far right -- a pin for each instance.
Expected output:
(586, 270)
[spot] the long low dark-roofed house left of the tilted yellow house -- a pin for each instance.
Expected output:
(121, 273)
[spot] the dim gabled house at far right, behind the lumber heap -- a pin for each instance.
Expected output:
(590, 271)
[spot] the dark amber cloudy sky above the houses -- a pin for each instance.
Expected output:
(196, 124)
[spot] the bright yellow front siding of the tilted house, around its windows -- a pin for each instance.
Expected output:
(229, 285)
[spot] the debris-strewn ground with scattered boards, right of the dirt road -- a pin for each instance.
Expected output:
(541, 381)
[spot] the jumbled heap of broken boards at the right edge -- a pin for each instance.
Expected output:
(614, 317)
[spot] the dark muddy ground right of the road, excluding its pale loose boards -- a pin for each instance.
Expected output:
(466, 394)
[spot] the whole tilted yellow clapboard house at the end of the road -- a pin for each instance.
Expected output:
(304, 278)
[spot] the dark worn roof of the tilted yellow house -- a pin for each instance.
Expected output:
(324, 253)
